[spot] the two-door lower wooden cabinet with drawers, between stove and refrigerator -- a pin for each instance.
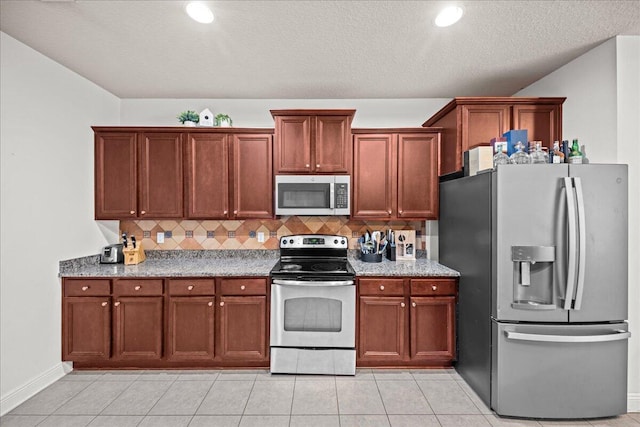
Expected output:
(406, 322)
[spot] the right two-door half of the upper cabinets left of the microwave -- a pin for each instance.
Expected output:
(229, 175)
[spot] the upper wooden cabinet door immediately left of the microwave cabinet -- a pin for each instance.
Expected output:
(252, 176)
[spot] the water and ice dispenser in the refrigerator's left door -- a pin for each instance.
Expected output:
(533, 277)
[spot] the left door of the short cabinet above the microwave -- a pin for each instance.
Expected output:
(293, 144)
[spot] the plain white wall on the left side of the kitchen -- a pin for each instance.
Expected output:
(46, 206)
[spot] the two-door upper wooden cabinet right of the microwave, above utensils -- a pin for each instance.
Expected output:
(395, 173)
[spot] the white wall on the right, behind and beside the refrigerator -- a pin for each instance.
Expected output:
(602, 110)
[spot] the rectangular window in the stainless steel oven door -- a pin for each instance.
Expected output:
(309, 314)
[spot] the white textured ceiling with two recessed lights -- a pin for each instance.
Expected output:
(314, 49)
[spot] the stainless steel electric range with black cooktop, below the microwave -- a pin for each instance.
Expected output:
(313, 307)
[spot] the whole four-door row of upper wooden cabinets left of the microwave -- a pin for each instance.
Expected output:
(204, 173)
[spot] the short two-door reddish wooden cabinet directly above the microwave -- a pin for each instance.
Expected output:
(312, 141)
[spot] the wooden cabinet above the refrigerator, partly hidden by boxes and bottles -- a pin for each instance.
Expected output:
(468, 122)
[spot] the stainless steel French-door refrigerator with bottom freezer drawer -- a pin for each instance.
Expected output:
(542, 253)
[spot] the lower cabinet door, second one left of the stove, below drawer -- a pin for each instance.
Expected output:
(191, 328)
